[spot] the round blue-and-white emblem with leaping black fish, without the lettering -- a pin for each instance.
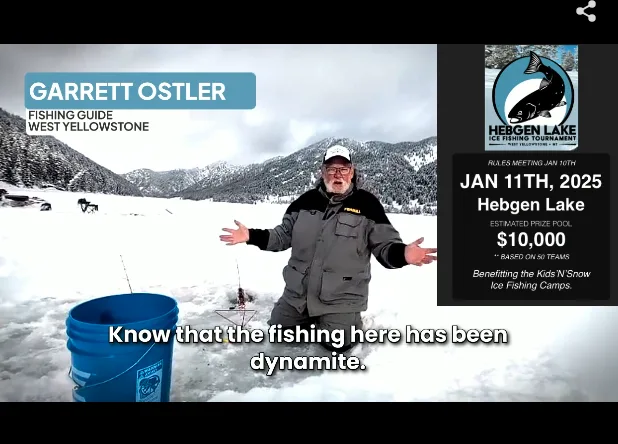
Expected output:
(540, 94)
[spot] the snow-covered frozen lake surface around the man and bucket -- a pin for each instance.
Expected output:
(50, 261)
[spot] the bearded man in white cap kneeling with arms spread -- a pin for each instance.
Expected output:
(332, 230)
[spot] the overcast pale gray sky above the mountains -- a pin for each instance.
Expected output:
(304, 94)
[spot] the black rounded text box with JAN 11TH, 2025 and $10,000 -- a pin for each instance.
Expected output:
(531, 226)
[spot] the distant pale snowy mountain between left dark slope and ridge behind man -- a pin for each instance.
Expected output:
(168, 183)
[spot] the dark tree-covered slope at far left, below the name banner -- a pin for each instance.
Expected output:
(44, 161)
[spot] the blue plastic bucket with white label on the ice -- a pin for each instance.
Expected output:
(107, 371)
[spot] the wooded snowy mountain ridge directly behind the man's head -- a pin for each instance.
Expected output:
(402, 175)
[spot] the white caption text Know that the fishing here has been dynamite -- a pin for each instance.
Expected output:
(336, 339)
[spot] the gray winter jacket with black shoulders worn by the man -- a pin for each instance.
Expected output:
(332, 239)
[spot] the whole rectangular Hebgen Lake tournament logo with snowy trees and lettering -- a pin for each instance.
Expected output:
(531, 97)
